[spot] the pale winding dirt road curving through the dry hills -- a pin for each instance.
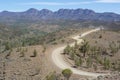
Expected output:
(59, 61)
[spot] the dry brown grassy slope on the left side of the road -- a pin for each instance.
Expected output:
(25, 67)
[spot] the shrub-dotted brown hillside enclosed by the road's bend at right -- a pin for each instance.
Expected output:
(95, 55)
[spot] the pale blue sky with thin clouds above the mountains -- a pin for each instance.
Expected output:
(54, 5)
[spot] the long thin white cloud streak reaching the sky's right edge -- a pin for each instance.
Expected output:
(70, 3)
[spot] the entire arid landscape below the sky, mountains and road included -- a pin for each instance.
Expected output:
(44, 44)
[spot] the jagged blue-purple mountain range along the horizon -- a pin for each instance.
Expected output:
(62, 14)
